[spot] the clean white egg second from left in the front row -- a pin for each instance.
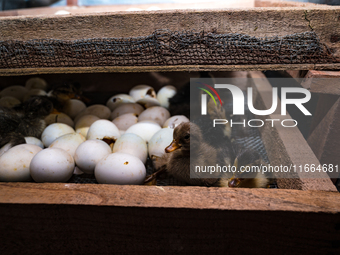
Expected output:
(52, 165)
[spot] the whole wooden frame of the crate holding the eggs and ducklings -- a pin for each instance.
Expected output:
(302, 216)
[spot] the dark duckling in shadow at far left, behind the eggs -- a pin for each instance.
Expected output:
(26, 119)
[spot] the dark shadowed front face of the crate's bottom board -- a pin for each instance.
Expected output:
(70, 229)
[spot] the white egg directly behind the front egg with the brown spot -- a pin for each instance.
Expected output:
(132, 144)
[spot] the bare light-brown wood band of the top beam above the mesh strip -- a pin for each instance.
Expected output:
(259, 22)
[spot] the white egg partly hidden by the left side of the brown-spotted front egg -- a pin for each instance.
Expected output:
(89, 153)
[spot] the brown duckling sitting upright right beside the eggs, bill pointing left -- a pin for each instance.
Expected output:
(189, 143)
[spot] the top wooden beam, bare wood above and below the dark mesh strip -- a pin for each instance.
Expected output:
(259, 22)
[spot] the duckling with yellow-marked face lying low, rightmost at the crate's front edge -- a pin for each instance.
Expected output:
(243, 179)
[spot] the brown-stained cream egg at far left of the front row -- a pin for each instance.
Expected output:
(14, 164)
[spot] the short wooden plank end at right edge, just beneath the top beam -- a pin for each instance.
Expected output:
(323, 82)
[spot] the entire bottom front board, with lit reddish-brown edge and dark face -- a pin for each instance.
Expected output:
(110, 219)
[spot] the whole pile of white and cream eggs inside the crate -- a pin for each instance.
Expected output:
(75, 141)
